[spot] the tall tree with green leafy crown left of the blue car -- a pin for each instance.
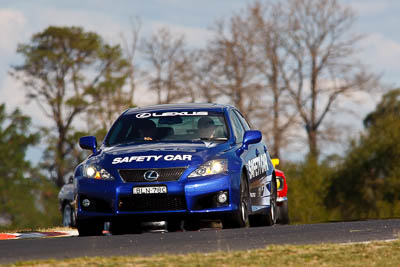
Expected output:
(66, 70)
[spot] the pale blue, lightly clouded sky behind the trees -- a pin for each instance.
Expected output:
(378, 21)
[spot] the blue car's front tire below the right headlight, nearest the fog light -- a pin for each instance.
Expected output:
(239, 218)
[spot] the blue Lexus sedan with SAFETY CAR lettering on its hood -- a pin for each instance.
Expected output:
(179, 163)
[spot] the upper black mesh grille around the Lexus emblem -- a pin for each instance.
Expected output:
(165, 174)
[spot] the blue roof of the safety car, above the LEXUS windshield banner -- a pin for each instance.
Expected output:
(185, 106)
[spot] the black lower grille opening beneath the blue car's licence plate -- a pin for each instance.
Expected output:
(152, 203)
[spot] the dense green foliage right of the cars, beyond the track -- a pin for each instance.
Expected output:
(363, 184)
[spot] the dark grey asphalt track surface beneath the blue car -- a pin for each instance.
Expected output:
(208, 240)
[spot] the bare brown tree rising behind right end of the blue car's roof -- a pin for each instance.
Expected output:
(243, 66)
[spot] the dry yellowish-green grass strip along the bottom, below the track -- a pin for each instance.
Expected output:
(364, 254)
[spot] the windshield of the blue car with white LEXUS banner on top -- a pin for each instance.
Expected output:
(168, 126)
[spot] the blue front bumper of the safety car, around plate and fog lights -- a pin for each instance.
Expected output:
(185, 198)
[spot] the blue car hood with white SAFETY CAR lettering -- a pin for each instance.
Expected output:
(160, 154)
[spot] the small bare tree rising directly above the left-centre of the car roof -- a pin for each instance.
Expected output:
(170, 67)
